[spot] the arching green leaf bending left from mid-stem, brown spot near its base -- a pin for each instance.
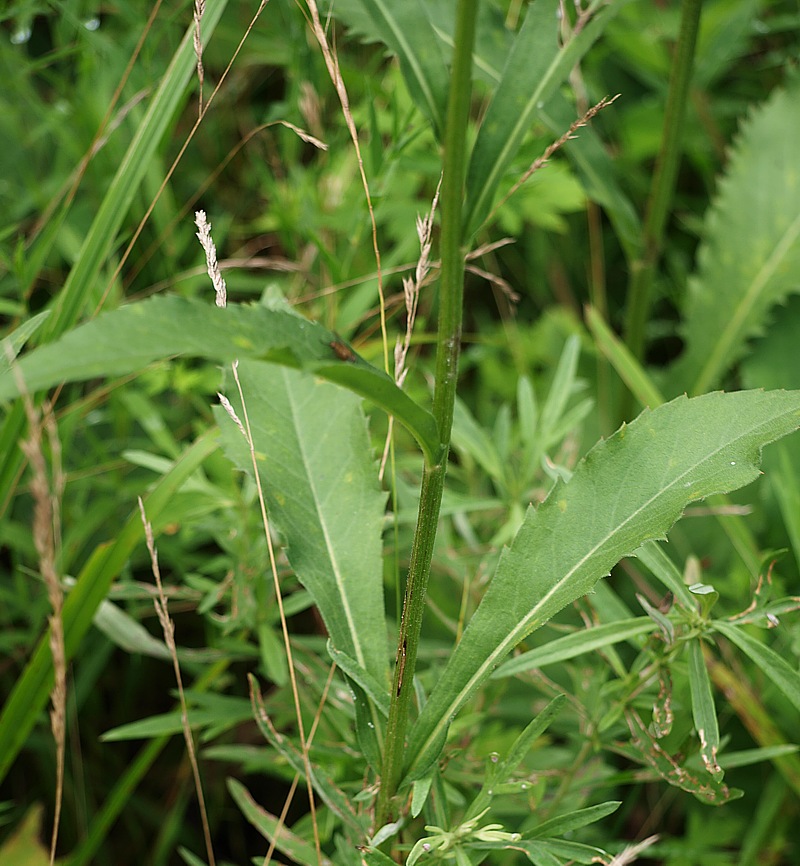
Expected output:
(126, 340)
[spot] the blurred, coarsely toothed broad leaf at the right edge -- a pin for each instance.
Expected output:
(750, 256)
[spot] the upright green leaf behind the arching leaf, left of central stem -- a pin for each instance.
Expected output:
(321, 486)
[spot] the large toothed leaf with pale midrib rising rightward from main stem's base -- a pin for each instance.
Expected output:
(627, 490)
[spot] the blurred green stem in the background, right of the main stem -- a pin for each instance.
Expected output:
(661, 191)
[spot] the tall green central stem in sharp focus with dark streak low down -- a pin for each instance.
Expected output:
(451, 293)
